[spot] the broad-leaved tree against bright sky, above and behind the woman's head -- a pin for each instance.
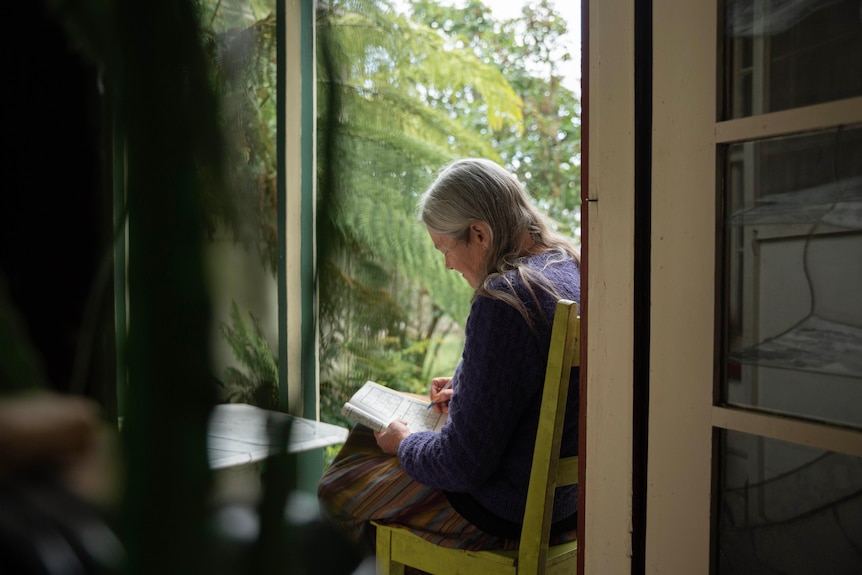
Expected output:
(544, 150)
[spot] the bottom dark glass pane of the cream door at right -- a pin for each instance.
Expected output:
(787, 509)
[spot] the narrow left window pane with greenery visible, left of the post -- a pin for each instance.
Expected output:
(242, 241)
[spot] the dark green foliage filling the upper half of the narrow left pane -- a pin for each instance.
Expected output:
(239, 39)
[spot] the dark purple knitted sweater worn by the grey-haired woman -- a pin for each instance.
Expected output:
(485, 449)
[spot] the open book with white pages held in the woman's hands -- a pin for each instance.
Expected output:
(374, 406)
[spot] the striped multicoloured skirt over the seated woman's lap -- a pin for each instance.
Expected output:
(363, 484)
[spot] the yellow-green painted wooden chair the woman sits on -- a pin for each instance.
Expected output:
(398, 547)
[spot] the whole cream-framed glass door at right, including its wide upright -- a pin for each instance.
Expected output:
(754, 460)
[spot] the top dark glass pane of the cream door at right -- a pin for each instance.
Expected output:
(784, 54)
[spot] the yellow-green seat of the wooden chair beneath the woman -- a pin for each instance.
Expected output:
(404, 546)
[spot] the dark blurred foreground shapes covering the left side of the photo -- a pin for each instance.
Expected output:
(103, 93)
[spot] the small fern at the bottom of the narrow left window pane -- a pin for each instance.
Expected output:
(258, 383)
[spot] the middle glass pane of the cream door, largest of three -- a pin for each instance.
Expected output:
(793, 241)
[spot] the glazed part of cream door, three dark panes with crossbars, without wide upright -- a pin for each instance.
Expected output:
(791, 317)
